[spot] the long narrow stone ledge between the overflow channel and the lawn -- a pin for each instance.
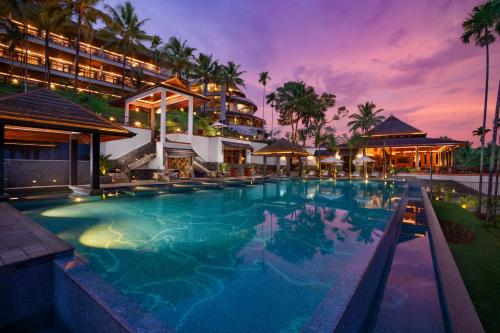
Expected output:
(458, 308)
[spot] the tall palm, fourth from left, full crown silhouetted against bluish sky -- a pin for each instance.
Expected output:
(127, 31)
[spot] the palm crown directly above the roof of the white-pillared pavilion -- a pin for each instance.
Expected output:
(178, 57)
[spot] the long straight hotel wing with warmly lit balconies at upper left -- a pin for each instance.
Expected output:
(100, 69)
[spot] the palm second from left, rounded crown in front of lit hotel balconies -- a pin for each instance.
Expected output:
(50, 18)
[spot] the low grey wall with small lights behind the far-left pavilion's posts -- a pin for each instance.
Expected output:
(22, 173)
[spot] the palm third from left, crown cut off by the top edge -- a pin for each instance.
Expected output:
(81, 9)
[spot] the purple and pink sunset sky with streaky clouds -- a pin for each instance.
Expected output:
(405, 56)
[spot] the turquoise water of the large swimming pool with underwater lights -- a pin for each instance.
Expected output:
(255, 259)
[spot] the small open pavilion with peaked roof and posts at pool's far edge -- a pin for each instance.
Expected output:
(281, 148)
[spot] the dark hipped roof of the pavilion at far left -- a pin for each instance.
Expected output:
(42, 108)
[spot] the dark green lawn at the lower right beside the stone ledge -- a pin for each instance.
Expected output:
(478, 262)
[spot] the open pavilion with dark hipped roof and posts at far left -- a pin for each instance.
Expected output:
(44, 116)
